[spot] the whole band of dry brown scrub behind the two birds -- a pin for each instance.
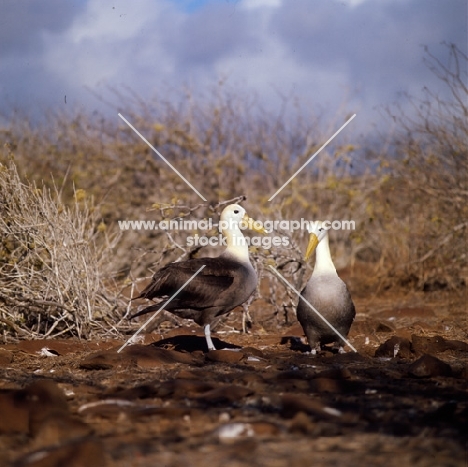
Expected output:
(65, 183)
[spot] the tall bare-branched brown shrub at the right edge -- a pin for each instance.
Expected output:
(423, 198)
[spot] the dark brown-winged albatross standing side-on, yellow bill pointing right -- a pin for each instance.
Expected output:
(224, 283)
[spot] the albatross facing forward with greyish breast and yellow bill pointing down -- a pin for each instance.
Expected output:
(327, 293)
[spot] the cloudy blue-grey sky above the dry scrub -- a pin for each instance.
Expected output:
(361, 53)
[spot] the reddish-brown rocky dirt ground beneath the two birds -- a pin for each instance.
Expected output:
(401, 400)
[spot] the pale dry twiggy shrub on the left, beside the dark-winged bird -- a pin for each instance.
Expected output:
(53, 261)
